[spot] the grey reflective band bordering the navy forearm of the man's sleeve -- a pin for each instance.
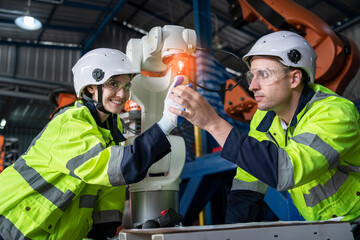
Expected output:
(285, 171)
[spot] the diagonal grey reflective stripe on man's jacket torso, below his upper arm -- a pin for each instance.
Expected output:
(322, 192)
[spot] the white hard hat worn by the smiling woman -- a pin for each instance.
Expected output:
(98, 65)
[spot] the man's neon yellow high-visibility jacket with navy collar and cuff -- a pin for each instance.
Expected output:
(316, 159)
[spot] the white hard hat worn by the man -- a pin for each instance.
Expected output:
(292, 49)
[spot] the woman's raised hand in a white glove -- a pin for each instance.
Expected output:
(169, 120)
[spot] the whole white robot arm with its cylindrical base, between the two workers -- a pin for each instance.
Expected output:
(159, 55)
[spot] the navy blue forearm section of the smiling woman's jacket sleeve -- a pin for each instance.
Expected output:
(148, 148)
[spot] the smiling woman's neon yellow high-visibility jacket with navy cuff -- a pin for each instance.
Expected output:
(71, 176)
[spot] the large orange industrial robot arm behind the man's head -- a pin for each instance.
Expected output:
(338, 57)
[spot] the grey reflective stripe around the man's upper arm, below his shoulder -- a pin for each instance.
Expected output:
(313, 141)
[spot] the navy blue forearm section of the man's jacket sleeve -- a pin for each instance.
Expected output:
(260, 159)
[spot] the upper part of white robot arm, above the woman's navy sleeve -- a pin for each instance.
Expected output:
(154, 53)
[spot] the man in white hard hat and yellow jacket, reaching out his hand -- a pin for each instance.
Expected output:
(303, 138)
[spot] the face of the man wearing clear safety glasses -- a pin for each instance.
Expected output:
(270, 85)
